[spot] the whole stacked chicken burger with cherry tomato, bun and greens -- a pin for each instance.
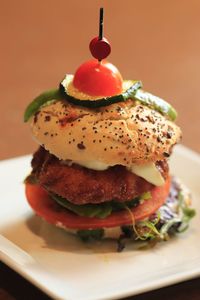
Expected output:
(101, 169)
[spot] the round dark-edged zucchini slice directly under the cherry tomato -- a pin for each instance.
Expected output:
(72, 95)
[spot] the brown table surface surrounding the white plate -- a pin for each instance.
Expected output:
(155, 41)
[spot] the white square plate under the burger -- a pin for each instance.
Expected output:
(65, 268)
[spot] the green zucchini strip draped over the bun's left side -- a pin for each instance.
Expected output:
(39, 101)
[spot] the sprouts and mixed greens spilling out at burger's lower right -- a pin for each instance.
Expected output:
(173, 217)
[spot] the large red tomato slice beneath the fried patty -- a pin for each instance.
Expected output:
(49, 210)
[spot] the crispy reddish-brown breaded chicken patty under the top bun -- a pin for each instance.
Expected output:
(81, 185)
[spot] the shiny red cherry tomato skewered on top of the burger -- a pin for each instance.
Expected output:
(98, 78)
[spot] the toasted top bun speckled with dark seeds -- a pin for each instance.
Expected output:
(123, 133)
